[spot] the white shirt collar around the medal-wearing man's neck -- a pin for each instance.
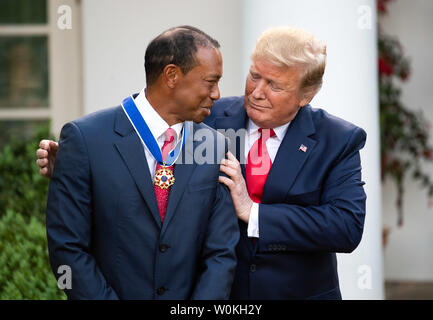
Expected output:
(156, 124)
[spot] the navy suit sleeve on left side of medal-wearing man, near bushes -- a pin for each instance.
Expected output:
(69, 219)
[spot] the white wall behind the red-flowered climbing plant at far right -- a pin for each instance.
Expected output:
(409, 253)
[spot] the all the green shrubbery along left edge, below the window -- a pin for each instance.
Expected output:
(25, 272)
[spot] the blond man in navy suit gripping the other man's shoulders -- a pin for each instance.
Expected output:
(305, 200)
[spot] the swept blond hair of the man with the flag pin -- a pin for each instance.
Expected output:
(293, 47)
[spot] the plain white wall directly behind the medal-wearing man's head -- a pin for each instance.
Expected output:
(116, 34)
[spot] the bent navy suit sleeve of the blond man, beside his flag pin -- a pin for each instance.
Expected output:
(336, 225)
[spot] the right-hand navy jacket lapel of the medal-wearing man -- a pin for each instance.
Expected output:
(182, 172)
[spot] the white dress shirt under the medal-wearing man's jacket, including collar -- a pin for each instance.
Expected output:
(157, 126)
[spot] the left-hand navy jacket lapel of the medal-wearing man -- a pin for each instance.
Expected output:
(132, 152)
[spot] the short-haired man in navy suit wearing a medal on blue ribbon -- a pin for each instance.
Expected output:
(114, 215)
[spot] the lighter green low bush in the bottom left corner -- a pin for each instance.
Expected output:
(24, 265)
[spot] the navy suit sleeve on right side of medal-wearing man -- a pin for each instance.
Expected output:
(218, 254)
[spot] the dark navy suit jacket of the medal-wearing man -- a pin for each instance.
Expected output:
(103, 220)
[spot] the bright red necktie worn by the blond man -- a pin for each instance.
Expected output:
(258, 165)
